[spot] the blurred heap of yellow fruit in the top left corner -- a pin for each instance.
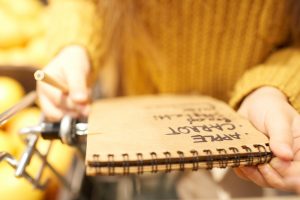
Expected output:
(22, 32)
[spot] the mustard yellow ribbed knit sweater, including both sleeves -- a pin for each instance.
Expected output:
(222, 48)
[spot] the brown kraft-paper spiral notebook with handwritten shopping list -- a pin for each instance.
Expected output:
(134, 135)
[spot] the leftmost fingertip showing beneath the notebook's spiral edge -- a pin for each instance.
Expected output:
(254, 175)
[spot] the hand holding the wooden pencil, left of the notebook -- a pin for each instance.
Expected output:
(72, 68)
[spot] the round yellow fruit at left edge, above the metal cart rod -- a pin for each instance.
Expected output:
(11, 92)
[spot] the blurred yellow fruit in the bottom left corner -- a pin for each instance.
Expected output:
(16, 188)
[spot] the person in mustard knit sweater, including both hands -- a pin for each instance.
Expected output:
(243, 52)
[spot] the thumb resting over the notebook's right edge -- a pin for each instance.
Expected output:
(278, 126)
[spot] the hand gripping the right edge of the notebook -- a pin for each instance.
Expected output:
(270, 112)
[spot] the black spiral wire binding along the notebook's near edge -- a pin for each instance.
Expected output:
(222, 159)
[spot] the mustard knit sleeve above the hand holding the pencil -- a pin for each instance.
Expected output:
(74, 22)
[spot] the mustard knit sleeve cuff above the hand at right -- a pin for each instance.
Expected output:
(281, 70)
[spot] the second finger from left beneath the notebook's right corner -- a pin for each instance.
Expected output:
(272, 178)
